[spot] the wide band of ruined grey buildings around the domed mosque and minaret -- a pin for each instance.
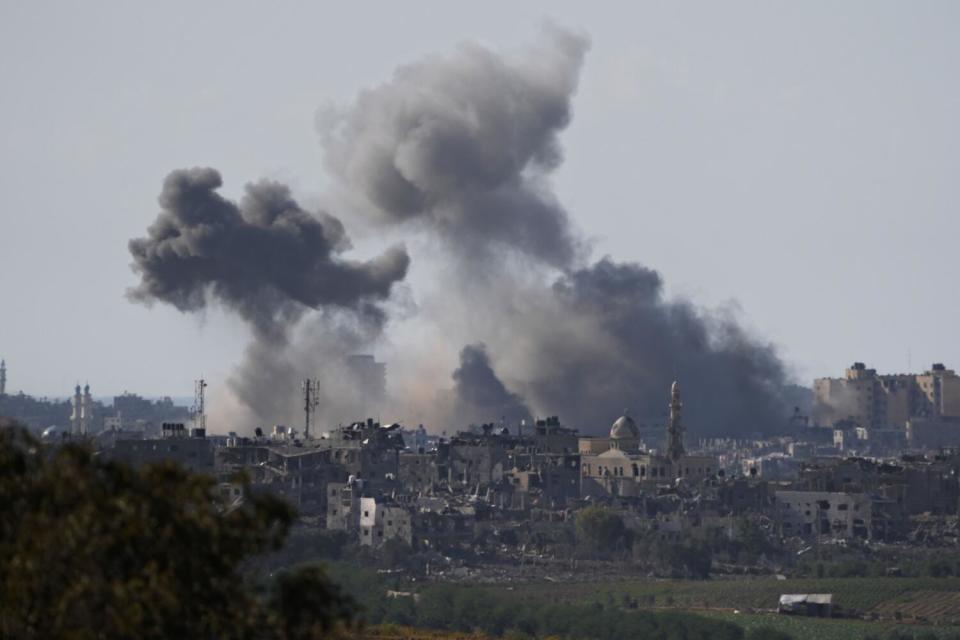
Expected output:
(380, 482)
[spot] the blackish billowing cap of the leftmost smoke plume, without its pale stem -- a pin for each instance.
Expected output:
(267, 258)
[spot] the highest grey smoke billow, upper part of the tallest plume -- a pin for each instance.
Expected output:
(461, 144)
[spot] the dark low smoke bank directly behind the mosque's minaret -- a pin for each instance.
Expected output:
(637, 343)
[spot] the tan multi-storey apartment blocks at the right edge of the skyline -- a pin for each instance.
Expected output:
(863, 398)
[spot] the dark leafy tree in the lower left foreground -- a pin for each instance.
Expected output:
(95, 549)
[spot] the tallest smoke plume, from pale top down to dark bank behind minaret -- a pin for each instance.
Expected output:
(460, 148)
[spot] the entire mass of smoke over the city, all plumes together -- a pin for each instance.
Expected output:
(457, 150)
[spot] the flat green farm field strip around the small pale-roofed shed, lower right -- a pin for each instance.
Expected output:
(931, 599)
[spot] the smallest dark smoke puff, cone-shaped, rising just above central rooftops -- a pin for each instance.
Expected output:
(480, 395)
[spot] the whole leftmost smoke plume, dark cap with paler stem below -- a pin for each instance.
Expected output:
(270, 261)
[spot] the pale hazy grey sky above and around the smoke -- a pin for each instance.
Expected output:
(797, 160)
